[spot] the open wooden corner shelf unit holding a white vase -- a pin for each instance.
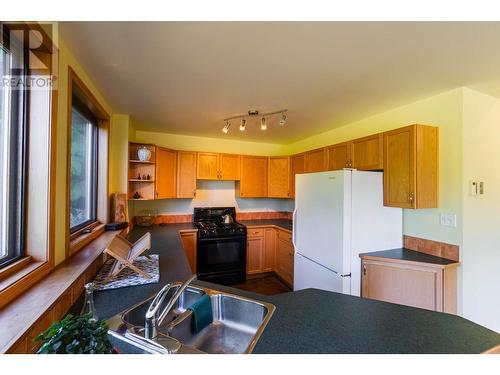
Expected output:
(145, 187)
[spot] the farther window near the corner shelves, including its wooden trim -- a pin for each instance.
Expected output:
(87, 168)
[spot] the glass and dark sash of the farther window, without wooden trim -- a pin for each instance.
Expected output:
(83, 172)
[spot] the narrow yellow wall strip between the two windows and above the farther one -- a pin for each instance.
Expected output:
(66, 59)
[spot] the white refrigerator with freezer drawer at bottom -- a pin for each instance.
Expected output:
(339, 215)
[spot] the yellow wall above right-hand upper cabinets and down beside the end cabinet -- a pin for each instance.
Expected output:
(443, 110)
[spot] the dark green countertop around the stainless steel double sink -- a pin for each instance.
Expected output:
(315, 321)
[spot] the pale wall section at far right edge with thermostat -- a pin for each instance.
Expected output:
(481, 225)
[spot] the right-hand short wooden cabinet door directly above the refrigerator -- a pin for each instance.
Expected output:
(368, 153)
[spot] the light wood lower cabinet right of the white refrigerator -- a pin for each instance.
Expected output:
(422, 285)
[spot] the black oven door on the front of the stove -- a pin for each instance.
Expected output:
(221, 256)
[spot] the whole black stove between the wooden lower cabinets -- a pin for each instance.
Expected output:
(221, 248)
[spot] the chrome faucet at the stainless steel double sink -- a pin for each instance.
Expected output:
(154, 318)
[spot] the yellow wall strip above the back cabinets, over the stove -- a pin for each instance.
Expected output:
(190, 143)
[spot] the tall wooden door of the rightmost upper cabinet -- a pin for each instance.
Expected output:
(399, 168)
